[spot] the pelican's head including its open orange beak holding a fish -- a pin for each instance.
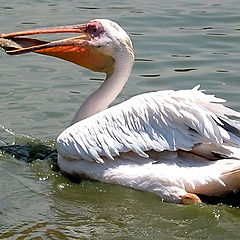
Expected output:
(101, 42)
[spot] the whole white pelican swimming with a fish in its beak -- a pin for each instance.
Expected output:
(176, 144)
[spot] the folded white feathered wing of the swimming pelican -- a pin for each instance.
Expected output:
(163, 120)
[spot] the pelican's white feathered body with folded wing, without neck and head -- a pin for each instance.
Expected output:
(116, 145)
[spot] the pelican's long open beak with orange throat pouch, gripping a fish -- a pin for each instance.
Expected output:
(79, 50)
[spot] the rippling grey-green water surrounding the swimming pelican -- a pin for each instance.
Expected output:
(178, 45)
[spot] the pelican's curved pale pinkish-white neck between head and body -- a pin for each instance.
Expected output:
(109, 90)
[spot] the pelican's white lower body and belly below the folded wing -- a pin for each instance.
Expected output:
(170, 174)
